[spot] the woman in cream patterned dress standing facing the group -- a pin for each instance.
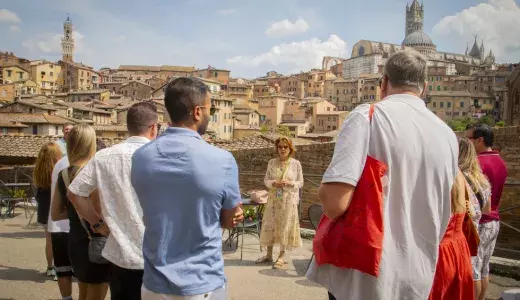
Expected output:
(280, 224)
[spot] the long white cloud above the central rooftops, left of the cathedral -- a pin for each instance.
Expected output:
(295, 56)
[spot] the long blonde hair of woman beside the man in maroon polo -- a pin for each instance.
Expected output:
(469, 165)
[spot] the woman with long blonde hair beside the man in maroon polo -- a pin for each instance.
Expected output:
(480, 197)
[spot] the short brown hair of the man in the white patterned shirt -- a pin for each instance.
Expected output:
(140, 117)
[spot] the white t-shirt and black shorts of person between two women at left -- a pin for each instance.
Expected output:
(60, 238)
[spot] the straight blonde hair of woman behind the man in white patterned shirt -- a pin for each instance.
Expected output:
(81, 144)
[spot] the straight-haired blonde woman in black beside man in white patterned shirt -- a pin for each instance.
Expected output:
(92, 278)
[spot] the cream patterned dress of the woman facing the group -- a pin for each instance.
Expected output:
(280, 224)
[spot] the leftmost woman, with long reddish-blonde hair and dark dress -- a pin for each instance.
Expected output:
(47, 157)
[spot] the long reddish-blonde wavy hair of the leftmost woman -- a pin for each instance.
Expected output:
(48, 156)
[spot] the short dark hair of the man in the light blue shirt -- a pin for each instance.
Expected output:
(182, 95)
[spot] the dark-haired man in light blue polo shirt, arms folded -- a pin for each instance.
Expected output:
(188, 190)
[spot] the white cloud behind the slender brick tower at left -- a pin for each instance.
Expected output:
(51, 43)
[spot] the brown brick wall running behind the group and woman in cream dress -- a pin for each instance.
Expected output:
(315, 159)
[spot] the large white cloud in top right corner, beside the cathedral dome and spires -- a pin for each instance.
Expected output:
(497, 22)
